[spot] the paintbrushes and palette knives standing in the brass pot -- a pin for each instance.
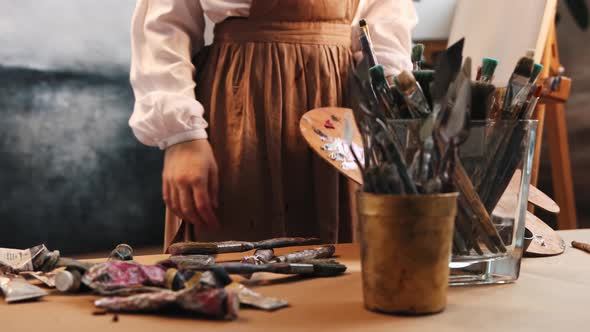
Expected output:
(377, 104)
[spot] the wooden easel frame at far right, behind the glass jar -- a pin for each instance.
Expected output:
(552, 108)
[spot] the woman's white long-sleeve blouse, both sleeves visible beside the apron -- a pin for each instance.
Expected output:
(167, 33)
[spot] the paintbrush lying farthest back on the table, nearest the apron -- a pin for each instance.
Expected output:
(210, 248)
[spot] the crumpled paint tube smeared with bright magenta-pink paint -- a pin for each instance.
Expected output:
(117, 275)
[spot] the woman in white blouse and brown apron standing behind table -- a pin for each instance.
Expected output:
(256, 80)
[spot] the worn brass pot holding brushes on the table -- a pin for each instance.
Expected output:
(406, 243)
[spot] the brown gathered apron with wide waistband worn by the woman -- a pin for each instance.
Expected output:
(256, 80)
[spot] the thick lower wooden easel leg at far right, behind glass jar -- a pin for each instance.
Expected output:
(561, 166)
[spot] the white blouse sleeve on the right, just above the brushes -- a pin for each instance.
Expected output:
(391, 23)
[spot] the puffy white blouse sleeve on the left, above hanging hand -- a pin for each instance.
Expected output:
(165, 35)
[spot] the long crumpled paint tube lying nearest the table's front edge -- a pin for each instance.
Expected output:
(212, 303)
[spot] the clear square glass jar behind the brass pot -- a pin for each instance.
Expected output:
(496, 156)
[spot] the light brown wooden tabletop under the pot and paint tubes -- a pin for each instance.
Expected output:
(552, 294)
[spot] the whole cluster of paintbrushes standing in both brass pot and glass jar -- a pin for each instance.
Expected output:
(445, 101)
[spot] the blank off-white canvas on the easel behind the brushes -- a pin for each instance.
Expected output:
(502, 29)
